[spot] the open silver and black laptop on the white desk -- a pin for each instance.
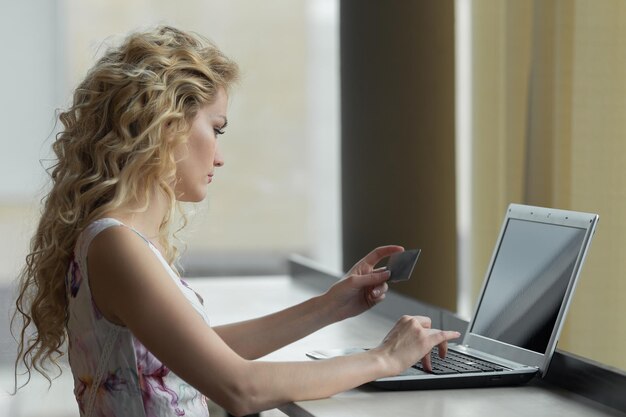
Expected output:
(527, 290)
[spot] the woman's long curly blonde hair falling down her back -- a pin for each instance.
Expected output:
(132, 109)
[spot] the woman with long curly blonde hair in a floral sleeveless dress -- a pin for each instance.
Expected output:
(140, 136)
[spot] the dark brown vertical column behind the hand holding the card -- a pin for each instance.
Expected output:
(398, 164)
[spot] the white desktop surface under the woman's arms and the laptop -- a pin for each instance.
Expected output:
(233, 299)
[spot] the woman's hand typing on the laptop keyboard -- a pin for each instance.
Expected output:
(410, 340)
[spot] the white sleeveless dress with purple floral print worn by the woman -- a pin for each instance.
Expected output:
(114, 374)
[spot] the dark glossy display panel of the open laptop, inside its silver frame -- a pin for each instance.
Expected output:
(528, 282)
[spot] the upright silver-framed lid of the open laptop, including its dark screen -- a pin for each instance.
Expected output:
(529, 283)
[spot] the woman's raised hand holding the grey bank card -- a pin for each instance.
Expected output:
(363, 286)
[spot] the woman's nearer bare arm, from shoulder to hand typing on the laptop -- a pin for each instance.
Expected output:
(136, 291)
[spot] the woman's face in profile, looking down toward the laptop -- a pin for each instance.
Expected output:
(200, 155)
